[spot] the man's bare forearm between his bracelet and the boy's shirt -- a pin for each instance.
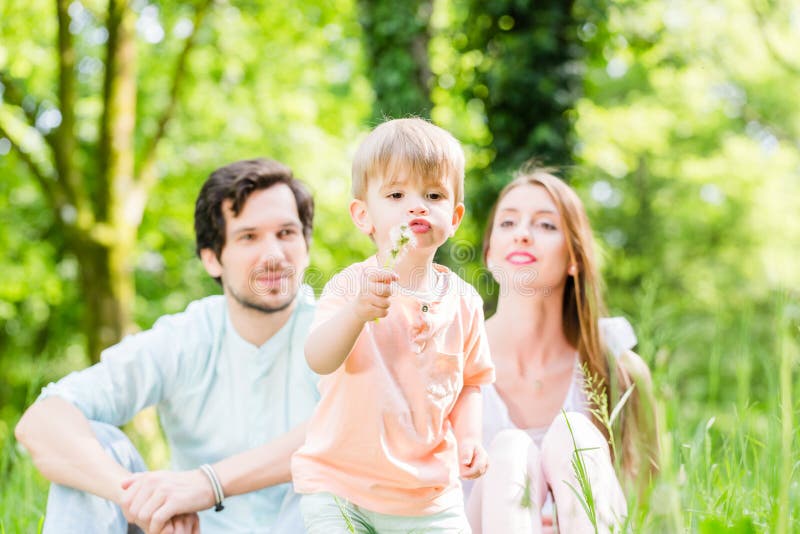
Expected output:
(261, 467)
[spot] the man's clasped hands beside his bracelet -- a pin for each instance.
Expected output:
(152, 499)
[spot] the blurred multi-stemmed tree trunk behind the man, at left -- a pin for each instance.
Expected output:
(99, 204)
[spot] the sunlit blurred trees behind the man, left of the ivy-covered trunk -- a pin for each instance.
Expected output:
(98, 199)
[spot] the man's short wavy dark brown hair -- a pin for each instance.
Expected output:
(236, 182)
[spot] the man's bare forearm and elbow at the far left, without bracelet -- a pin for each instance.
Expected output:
(64, 449)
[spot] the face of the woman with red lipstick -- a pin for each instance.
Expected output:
(527, 248)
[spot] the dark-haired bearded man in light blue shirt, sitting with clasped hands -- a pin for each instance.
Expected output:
(227, 375)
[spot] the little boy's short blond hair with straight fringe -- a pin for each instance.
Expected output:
(414, 146)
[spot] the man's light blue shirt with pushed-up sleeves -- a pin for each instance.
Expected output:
(216, 394)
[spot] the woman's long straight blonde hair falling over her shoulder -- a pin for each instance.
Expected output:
(583, 305)
